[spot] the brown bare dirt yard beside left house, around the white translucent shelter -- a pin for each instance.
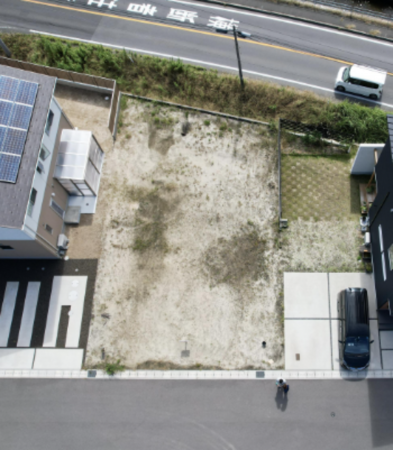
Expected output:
(87, 110)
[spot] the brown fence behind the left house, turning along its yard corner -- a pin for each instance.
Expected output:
(72, 77)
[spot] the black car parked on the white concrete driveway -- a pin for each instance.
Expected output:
(354, 329)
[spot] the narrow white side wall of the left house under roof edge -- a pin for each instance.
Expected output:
(40, 179)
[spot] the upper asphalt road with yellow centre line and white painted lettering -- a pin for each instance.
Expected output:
(287, 52)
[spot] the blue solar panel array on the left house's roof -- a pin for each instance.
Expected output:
(17, 98)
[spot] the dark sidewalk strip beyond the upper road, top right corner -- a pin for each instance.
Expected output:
(315, 13)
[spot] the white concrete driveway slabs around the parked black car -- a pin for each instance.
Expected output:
(311, 325)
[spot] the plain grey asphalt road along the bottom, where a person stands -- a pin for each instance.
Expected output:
(186, 415)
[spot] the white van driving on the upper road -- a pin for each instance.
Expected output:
(361, 80)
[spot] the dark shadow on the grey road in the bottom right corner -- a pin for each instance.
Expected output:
(380, 394)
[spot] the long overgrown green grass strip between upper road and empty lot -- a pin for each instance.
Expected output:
(195, 86)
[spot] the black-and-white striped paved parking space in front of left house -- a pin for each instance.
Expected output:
(45, 303)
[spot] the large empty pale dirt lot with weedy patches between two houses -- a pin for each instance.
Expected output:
(188, 245)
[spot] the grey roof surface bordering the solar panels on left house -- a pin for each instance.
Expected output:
(14, 197)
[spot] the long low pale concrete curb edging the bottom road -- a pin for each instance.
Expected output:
(241, 375)
